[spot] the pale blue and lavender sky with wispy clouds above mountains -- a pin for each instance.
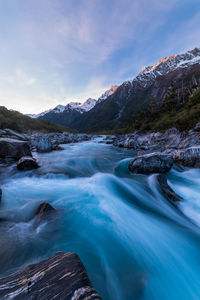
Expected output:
(57, 51)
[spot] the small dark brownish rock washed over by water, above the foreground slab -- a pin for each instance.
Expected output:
(43, 212)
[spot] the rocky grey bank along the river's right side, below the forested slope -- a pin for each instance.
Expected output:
(182, 147)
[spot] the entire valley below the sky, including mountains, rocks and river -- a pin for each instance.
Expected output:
(86, 215)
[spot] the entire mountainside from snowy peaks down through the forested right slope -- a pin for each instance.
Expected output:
(174, 78)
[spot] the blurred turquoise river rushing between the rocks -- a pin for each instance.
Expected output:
(133, 243)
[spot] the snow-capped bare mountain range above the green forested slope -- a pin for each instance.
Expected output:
(117, 106)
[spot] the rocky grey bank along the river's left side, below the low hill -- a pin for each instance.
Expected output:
(16, 146)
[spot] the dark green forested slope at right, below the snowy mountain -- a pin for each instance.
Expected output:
(171, 113)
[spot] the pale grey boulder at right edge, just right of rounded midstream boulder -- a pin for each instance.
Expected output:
(189, 157)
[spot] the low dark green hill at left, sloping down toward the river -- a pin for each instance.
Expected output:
(19, 122)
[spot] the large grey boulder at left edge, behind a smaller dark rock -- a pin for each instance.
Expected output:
(12, 148)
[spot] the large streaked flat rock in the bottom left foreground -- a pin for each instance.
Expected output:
(59, 277)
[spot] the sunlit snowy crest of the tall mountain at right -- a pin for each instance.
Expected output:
(168, 64)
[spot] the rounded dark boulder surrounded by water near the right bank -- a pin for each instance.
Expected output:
(151, 163)
